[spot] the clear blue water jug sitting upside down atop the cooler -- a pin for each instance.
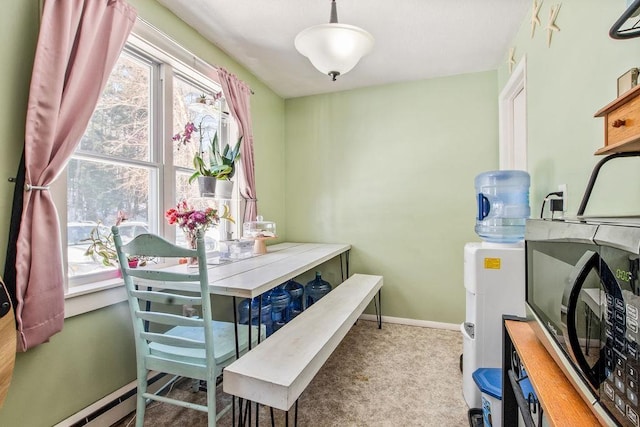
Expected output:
(503, 205)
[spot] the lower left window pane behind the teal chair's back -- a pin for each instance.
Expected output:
(96, 193)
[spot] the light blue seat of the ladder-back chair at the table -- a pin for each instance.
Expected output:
(223, 336)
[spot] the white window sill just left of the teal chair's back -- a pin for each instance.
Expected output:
(82, 299)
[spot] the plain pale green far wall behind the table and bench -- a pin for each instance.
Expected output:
(390, 170)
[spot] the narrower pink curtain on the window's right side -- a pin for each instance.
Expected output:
(238, 95)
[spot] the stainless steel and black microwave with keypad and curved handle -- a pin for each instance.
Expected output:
(583, 291)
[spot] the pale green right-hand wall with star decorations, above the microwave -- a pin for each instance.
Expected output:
(566, 84)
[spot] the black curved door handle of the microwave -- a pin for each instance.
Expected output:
(587, 262)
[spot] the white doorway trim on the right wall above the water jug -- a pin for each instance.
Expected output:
(515, 85)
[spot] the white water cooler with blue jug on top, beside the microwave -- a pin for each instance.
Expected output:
(494, 273)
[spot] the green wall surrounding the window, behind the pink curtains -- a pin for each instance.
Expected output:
(94, 354)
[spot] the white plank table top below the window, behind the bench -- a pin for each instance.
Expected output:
(251, 277)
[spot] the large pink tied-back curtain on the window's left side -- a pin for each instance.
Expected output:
(78, 45)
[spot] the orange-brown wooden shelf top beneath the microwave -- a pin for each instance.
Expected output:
(561, 403)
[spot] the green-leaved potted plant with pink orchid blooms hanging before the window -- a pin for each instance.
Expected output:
(214, 167)
